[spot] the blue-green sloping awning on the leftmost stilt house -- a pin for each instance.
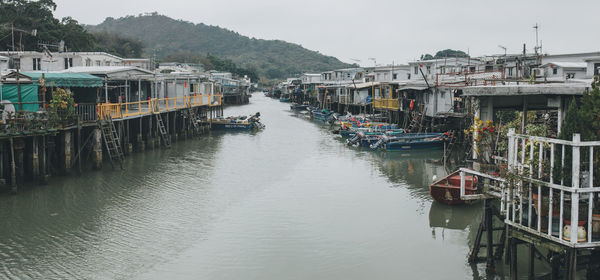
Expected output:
(66, 79)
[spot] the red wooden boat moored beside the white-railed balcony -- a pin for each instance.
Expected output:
(447, 190)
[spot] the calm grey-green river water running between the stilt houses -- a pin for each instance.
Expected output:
(289, 202)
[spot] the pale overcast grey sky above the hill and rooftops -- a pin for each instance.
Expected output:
(387, 30)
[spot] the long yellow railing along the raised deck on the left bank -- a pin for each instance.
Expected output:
(137, 108)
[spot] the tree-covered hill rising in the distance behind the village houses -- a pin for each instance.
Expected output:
(168, 37)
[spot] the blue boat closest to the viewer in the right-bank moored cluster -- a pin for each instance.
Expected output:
(410, 141)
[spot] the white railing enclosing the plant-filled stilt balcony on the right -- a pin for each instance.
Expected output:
(548, 183)
